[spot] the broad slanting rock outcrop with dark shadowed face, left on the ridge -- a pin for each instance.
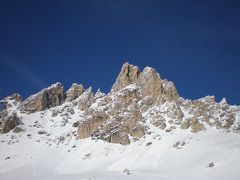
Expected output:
(45, 99)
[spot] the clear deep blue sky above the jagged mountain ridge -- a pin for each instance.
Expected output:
(195, 44)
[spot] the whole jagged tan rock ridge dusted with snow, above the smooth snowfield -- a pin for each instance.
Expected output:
(137, 103)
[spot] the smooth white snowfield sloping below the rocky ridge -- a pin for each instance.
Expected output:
(166, 156)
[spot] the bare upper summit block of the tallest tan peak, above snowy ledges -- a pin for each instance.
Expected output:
(148, 81)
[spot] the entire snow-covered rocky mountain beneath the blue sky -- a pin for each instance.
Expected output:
(141, 129)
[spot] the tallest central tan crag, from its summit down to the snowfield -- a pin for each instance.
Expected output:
(133, 93)
